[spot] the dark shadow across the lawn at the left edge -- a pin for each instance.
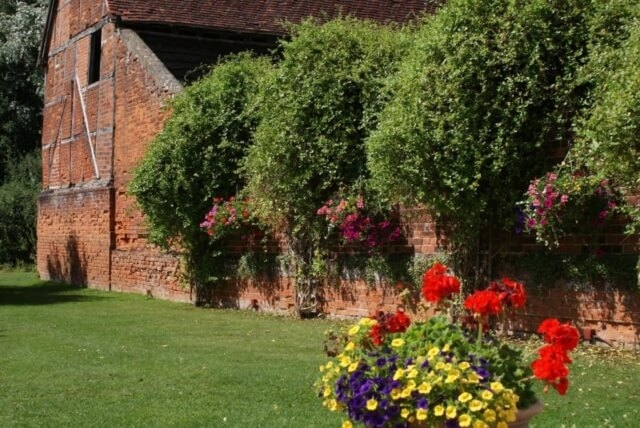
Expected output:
(45, 293)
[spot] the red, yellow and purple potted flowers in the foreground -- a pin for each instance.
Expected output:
(386, 371)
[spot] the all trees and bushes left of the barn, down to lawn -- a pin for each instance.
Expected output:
(21, 24)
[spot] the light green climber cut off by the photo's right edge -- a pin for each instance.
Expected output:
(608, 135)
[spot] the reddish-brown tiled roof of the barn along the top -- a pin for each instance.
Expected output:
(261, 16)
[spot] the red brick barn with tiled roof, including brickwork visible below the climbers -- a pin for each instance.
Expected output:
(110, 67)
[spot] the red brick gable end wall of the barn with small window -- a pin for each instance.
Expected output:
(89, 231)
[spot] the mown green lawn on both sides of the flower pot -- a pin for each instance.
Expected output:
(84, 358)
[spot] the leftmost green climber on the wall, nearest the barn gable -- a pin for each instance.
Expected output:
(197, 156)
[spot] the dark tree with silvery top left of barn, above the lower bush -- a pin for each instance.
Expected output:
(21, 82)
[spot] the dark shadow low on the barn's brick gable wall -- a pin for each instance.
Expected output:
(70, 265)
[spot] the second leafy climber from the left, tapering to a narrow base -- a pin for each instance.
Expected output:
(315, 113)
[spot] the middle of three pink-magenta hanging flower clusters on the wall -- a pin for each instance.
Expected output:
(356, 224)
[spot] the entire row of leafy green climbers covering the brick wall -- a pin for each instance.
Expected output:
(459, 113)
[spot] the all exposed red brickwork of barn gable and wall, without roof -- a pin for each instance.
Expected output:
(91, 233)
